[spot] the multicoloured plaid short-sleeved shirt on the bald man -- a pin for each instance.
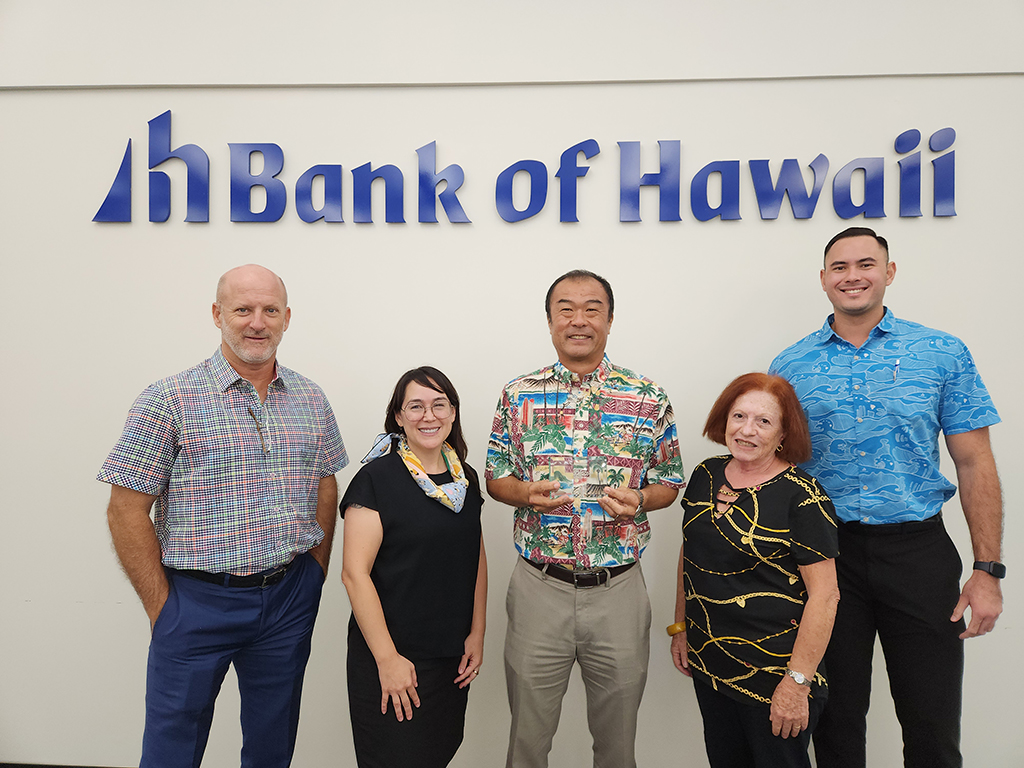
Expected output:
(237, 480)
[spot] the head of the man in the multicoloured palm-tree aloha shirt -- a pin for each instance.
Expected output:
(580, 324)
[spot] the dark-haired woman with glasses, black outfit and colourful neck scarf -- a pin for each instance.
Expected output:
(417, 580)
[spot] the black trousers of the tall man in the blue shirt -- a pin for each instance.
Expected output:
(901, 582)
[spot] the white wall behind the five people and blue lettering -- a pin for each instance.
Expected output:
(97, 312)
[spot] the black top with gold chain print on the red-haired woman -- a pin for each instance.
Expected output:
(745, 596)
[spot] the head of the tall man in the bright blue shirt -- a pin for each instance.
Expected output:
(857, 274)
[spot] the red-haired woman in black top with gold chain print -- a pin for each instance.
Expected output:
(757, 591)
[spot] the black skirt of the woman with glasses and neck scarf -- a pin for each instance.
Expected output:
(434, 735)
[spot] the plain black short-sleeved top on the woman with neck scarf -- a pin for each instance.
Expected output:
(425, 571)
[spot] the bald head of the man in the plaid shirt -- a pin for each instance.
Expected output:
(252, 315)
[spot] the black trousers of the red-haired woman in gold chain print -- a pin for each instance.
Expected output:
(738, 735)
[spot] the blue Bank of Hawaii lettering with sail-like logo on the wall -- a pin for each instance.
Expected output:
(859, 188)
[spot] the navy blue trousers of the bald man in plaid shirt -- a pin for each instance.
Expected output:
(202, 630)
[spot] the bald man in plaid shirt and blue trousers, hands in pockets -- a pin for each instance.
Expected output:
(239, 454)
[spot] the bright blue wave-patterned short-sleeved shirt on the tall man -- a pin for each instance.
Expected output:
(876, 413)
